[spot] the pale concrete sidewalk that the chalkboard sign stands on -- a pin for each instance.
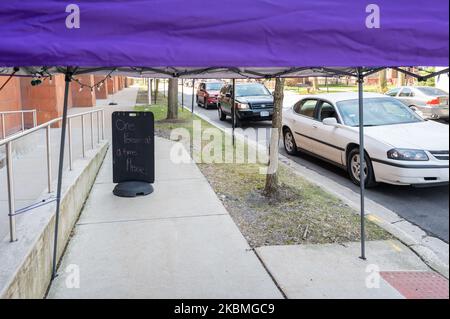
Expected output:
(178, 242)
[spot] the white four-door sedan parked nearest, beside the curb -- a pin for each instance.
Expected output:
(401, 148)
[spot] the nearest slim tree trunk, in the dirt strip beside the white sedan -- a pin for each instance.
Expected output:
(271, 187)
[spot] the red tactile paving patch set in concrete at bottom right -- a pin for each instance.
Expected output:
(418, 285)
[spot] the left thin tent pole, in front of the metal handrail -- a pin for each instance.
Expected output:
(68, 79)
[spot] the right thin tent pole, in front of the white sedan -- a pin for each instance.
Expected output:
(362, 176)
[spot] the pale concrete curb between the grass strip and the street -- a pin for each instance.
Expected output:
(433, 251)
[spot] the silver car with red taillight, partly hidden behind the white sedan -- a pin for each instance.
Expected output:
(429, 102)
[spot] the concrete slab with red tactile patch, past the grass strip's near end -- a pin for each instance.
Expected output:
(334, 271)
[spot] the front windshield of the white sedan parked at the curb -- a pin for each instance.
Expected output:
(377, 111)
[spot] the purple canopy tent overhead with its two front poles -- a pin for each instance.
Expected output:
(206, 39)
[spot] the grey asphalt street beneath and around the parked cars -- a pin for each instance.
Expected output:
(427, 208)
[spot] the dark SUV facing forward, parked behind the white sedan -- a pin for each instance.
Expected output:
(254, 102)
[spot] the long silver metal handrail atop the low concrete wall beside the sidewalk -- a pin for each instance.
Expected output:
(8, 143)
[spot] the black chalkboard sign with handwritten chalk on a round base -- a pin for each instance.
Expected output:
(133, 135)
